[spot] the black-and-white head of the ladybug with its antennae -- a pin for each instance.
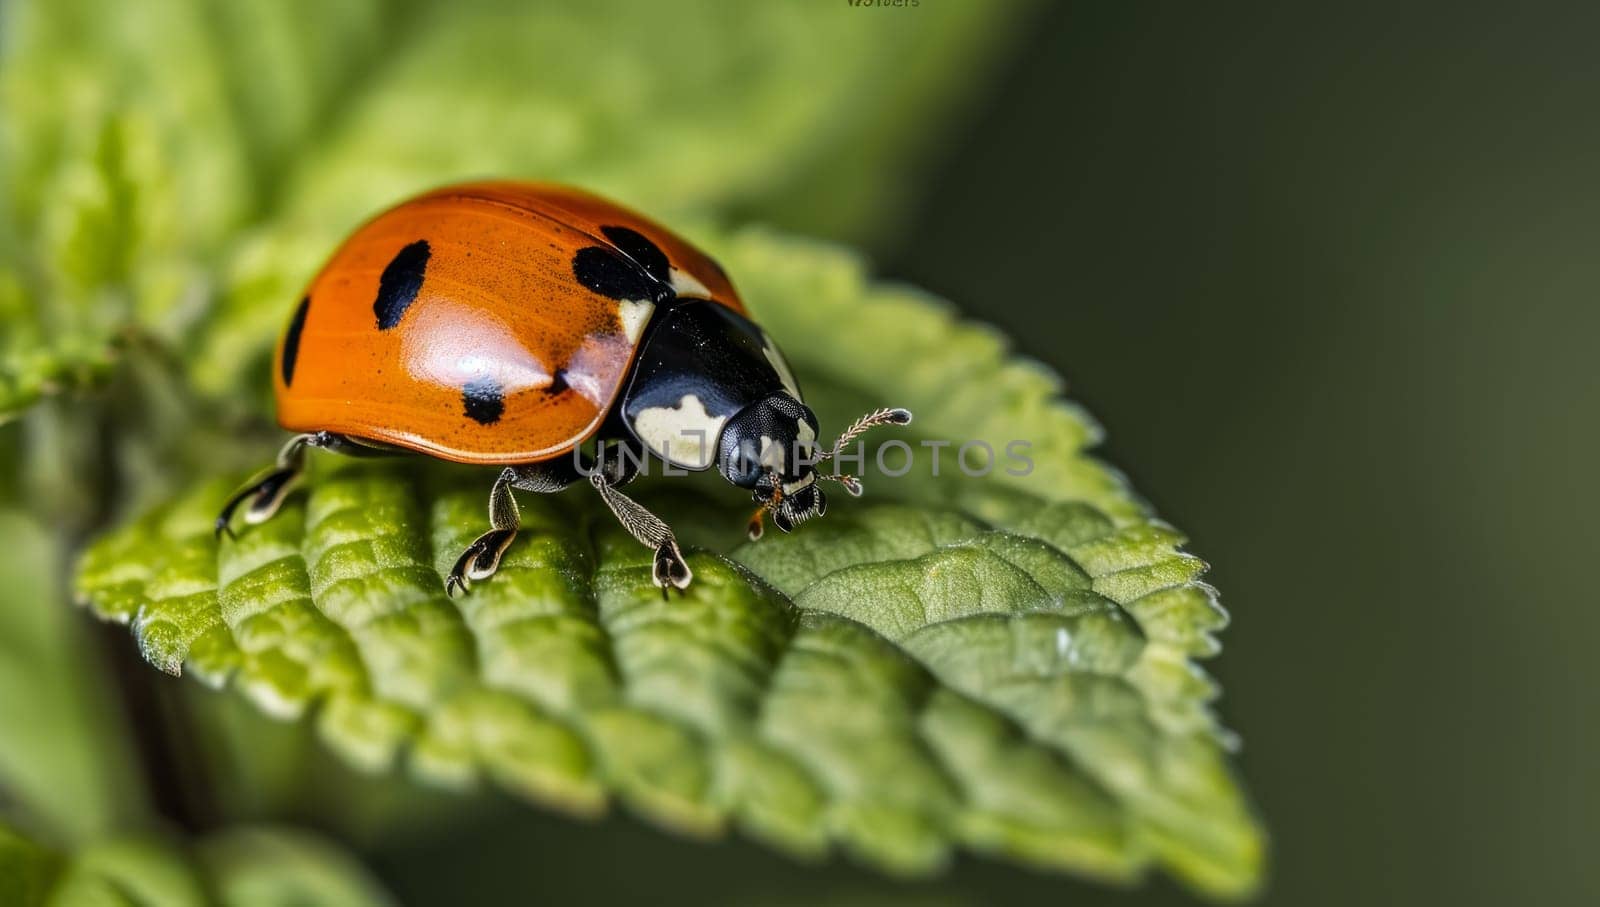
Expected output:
(770, 449)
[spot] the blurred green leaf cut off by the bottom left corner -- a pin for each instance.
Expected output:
(238, 868)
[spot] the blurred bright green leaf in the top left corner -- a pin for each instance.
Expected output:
(122, 178)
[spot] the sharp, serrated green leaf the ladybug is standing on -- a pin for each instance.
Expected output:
(998, 663)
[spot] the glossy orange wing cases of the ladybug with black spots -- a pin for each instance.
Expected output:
(487, 324)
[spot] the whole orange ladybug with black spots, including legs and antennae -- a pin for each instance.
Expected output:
(513, 324)
